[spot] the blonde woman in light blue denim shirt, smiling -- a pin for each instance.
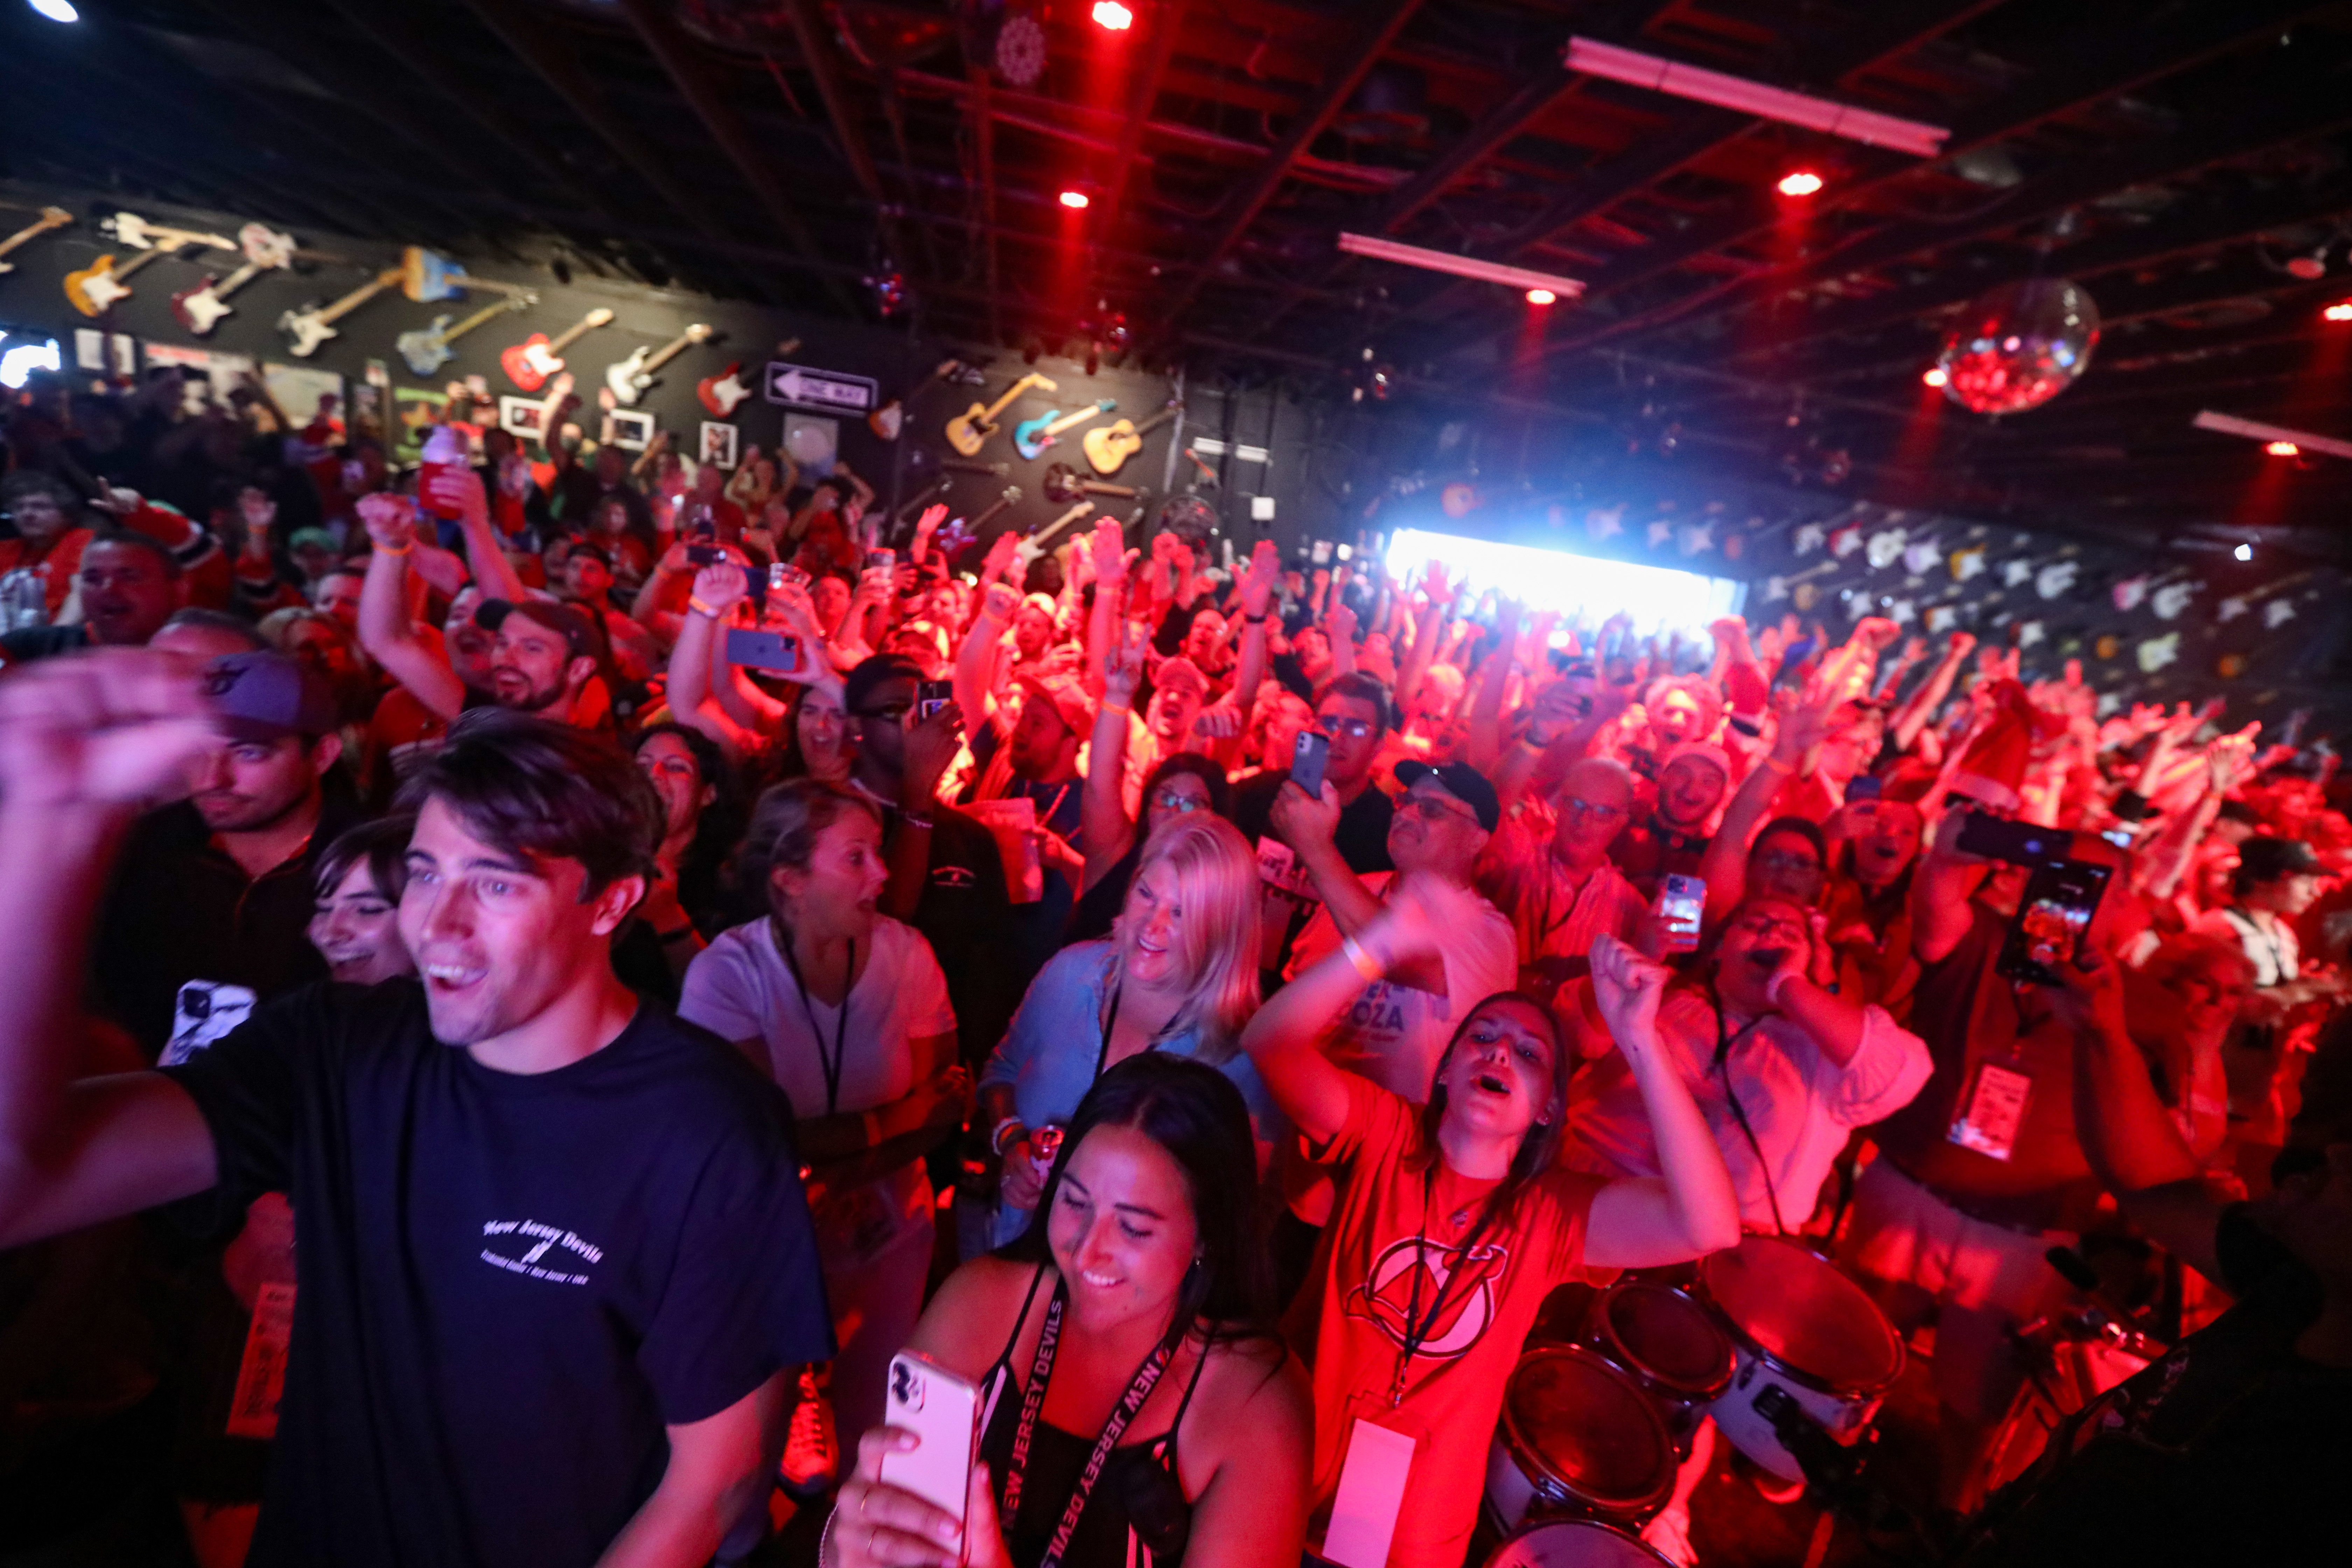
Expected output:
(1177, 974)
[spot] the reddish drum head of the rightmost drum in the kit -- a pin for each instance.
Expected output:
(1805, 1315)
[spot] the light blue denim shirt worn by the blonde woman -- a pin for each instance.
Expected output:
(1048, 1057)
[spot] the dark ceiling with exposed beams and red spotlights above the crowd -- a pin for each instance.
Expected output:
(2170, 156)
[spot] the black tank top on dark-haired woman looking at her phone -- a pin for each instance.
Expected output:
(1137, 1515)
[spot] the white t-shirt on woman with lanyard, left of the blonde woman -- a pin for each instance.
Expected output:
(742, 989)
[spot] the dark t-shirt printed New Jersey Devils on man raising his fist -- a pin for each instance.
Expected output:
(507, 1282)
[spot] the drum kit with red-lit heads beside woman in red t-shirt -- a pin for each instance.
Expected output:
(1598, 1416)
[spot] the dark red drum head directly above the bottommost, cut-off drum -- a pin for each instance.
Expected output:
(1579, 1426)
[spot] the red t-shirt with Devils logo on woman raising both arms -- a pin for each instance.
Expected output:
(1391, 1224)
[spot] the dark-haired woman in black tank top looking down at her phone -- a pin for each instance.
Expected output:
(1128, 1332)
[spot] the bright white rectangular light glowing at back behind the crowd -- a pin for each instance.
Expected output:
(1579, 587)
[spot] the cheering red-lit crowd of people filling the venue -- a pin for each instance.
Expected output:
(542, 977)
